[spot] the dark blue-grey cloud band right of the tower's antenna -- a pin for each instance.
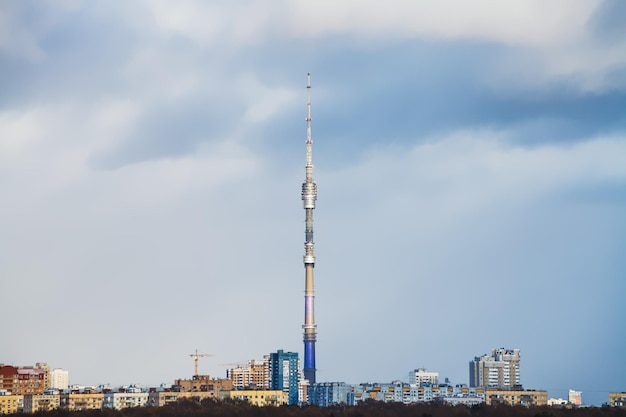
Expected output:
(429, 88)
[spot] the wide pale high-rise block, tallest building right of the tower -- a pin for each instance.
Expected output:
(498, 370)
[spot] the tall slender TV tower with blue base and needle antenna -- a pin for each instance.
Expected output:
(309, 195)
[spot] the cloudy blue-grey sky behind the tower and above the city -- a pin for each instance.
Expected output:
(470, 158)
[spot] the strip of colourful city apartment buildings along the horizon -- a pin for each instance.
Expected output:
(281, 371)
